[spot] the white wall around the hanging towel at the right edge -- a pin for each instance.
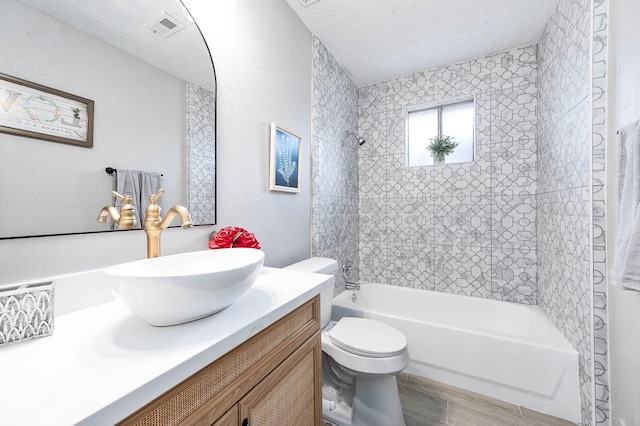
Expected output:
(624, 306)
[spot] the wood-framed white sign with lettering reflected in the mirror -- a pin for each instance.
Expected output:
(32, 110)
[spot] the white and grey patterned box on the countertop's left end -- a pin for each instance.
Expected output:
(26, 312)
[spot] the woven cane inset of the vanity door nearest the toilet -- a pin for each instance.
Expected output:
(291, 401)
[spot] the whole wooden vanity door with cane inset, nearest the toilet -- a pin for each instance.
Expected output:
(291, 395)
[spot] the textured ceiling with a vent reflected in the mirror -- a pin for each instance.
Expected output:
(121, 23)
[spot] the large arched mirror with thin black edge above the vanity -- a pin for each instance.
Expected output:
(148, 70)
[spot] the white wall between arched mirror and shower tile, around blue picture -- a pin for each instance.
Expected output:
(262, 54)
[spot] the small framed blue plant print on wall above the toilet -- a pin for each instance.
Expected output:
(284, 170)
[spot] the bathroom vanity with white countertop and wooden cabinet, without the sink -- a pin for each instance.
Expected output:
(256, 362)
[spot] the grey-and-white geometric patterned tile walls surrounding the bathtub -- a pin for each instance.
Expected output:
(471, 228)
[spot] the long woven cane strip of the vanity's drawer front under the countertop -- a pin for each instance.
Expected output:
(208, 382)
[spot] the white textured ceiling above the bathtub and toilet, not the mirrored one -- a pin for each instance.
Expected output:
(375, 40)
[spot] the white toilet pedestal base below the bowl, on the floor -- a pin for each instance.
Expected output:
(374, 402)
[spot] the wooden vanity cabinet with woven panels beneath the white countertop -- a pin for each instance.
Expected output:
(274, 378)
